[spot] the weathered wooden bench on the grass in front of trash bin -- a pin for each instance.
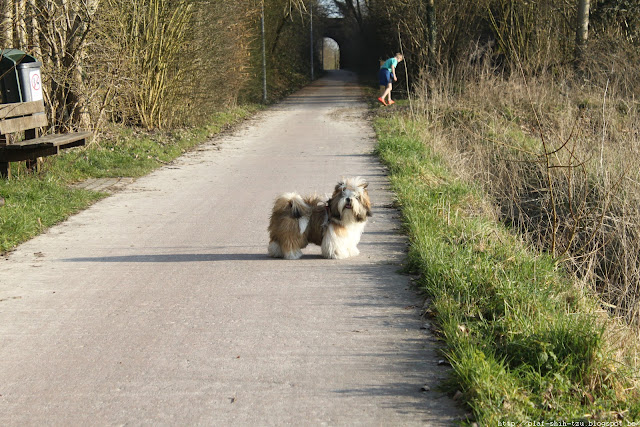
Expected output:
(29, 117)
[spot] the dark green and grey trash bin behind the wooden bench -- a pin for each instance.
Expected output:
(20, 79)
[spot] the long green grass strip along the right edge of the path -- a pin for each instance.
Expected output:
(524, 342)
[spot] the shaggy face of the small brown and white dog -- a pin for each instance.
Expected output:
(350, 200)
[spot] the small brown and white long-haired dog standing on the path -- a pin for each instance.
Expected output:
(335, 224)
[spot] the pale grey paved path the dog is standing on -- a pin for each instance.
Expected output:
(159, 306)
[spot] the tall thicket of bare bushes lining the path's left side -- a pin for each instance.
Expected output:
(156, 63)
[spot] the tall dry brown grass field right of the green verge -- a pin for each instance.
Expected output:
(559, 154)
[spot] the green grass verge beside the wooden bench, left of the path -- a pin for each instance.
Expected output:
(36, 201)
